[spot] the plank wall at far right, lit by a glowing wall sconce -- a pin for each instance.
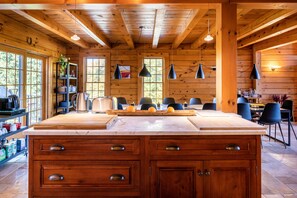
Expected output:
(282, 80)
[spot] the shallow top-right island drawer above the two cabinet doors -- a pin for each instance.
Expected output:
(203, 146)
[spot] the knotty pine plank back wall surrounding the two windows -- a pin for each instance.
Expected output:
(186, 64)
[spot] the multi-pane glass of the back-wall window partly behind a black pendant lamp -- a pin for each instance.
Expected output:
(153, 86)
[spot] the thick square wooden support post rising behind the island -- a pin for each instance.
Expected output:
(226, 52)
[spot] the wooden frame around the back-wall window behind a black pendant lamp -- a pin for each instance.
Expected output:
(165, 57)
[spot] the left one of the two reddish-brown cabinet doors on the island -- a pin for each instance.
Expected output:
(176, 179)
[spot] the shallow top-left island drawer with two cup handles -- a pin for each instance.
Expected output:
(85, 149)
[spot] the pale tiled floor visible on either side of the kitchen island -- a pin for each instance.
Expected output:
(279, 172)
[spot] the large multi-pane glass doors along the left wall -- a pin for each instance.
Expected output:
(12, 71)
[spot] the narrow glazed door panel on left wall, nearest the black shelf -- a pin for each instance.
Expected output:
(34, 89)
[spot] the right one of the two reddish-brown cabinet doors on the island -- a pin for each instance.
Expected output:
(229, 178)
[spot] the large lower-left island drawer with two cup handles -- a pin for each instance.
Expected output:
(89, 176)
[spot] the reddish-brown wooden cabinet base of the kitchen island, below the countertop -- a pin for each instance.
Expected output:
(145, 166)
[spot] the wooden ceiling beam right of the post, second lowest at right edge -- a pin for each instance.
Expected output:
(278, 28)
